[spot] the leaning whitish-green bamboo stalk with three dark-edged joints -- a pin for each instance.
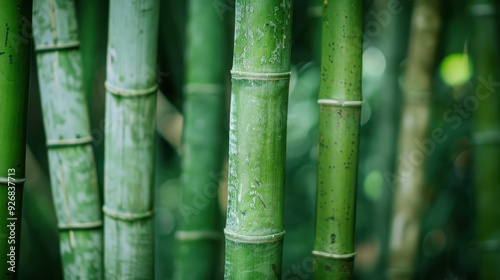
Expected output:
(71, 160)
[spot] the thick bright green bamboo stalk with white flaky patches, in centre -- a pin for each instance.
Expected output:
(260, 79)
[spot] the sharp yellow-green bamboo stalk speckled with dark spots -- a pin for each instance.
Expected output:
(339, 121)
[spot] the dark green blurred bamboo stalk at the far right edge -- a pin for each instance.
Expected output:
(486, 126)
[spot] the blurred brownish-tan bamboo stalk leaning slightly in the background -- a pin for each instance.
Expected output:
(410, 173)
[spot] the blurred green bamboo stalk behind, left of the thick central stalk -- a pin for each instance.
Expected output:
(199, 236)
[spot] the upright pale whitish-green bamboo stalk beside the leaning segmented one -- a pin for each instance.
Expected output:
(130, 130)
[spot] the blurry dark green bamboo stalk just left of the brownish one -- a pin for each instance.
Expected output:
(385, 123)
